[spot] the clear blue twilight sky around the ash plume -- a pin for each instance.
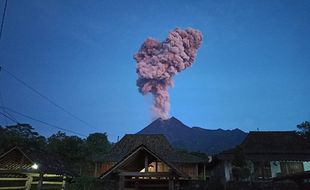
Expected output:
(251, 71)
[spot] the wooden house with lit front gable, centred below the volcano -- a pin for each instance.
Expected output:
(148, 161)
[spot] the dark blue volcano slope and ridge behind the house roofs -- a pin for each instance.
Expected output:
(195, 138)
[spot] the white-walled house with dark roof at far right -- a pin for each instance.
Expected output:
(268, 155)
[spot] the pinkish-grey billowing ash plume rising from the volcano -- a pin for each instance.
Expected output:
(158, 62)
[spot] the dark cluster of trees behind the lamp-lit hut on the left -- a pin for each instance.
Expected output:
(76, 153)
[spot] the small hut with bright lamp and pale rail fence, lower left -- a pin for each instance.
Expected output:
(19, 170)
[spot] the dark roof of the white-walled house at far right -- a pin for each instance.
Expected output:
(273, 145)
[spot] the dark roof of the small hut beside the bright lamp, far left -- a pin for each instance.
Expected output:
(17, 159)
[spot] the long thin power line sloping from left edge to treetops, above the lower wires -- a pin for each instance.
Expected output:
(47, 98)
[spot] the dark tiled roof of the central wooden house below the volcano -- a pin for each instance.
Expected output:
(155, 142)
